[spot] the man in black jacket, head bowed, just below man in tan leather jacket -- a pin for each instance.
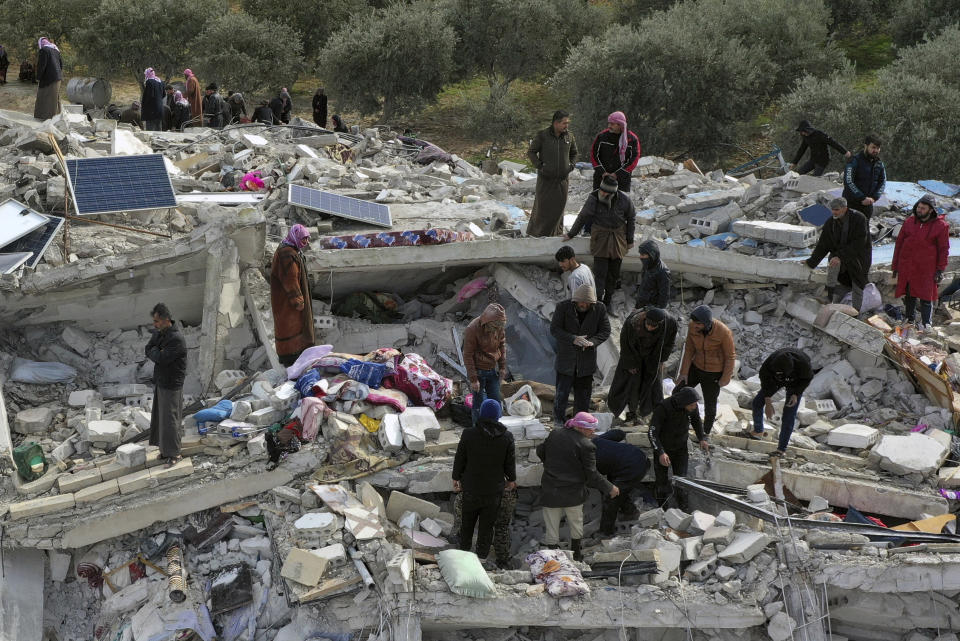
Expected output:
(669, 427)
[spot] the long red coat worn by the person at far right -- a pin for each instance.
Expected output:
(921, 250)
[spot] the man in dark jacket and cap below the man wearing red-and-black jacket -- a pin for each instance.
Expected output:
(612, 218)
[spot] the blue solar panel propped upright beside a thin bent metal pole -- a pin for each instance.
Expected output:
(120, 183)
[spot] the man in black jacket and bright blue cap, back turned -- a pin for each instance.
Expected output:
(483, 468)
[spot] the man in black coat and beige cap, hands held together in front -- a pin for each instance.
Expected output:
(579, 325)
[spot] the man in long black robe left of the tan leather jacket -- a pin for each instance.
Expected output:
(646, 341)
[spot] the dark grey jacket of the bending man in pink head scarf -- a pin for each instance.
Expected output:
(569, 467)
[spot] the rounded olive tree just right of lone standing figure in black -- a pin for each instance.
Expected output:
(389, 61)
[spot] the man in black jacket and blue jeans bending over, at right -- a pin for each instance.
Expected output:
(788, 369)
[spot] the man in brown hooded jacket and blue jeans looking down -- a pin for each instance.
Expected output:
(485, 355)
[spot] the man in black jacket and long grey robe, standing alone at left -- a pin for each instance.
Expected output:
(168, 351)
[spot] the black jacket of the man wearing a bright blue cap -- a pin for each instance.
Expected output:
(485, 459)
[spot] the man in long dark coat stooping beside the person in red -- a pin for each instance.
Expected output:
(846, 237)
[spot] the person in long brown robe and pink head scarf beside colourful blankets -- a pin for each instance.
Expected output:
(290, 296)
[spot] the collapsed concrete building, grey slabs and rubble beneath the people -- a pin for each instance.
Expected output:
(341, 539)
